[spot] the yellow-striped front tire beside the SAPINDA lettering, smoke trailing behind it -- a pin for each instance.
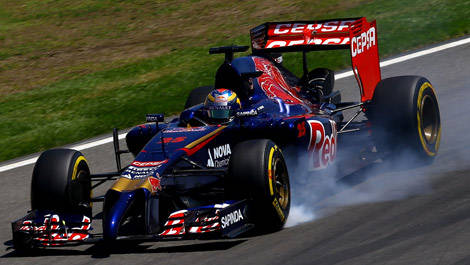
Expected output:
(258, 172)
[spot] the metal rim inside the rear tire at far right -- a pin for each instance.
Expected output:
(430, 119)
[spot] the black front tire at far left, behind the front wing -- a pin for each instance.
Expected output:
(61, 182)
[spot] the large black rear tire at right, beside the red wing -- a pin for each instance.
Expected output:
(405, 116)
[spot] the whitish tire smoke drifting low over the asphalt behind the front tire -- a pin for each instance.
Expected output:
(347, 182)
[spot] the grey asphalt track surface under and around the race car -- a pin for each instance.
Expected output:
(391, 214)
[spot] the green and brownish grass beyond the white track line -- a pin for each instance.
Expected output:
(74, 101)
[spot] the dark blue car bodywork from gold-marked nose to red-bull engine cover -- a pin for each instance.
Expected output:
(270, 111)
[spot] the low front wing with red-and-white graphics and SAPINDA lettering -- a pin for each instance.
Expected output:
(46, 228)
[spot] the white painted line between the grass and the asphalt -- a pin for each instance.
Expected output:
(338, 76)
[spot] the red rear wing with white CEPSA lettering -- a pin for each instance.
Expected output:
(355, 34)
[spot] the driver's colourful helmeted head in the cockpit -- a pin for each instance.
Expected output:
(221, 105)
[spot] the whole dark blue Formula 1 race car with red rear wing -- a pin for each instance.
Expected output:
(201, 176)
